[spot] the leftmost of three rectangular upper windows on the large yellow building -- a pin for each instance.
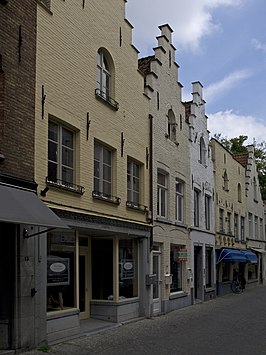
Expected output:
(61, 154)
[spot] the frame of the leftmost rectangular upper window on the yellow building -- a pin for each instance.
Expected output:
(59, 152)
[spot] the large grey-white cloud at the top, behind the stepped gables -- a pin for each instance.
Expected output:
(191, 20)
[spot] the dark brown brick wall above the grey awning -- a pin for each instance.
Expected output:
(17, 88)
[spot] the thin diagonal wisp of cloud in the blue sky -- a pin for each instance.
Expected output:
(215, 90)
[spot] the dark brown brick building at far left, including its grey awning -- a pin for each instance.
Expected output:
(21, 212)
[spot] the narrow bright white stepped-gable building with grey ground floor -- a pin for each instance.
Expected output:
(202, 216)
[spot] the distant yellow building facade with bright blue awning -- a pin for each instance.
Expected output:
(232, 257)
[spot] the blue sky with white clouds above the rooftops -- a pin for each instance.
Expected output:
(222, 44)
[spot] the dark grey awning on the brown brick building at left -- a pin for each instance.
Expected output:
(24, 207)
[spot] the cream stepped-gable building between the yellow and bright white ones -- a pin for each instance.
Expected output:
(171, 184)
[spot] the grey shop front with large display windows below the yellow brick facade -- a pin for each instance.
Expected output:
(95, 270)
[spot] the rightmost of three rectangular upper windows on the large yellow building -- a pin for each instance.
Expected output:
(133, 182)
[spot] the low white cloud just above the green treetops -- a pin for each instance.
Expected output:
(231, 125)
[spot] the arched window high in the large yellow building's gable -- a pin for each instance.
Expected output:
(103, 74)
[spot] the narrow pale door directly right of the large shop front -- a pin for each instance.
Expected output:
(156, 288)
